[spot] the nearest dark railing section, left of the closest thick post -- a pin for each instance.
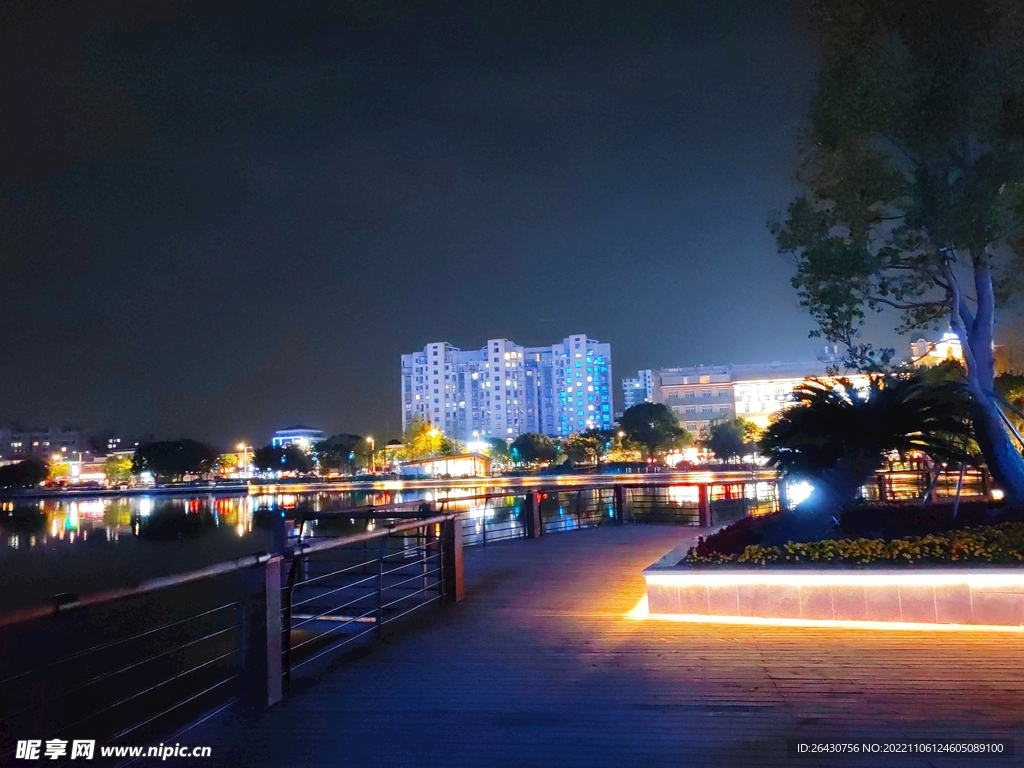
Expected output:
(129, 663)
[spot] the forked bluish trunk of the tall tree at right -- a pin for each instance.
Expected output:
(975, 332)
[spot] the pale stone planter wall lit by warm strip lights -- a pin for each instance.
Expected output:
(942, 596)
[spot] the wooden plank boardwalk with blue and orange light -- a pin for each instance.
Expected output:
(541, 667)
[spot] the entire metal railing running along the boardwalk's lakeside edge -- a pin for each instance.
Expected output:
(140, 663)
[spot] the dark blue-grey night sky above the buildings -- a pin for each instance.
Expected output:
(217, 222)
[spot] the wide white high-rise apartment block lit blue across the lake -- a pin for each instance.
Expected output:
(504, 390)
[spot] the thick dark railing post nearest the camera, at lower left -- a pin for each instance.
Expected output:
(262, 634)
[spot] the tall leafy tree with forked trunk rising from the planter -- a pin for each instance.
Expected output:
(915, 185)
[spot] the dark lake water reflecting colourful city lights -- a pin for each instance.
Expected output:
(82, 545)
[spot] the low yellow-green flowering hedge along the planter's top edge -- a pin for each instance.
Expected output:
(991, 544)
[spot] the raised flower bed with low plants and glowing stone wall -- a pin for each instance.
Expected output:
(958, 577)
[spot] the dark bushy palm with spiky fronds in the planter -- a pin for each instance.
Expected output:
(838, 436)
